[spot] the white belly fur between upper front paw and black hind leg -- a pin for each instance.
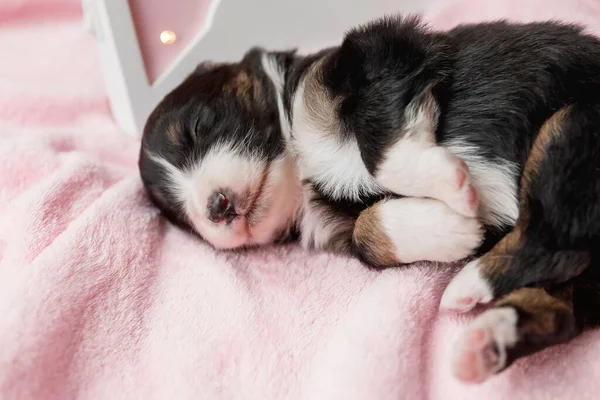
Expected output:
(495, 182)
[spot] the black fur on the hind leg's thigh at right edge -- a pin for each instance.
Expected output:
(563, 234)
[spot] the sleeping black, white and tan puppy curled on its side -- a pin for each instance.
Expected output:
(359, 148)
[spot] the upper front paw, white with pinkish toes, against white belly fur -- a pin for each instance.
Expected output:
(455, 186)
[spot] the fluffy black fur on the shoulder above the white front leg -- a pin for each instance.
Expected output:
(378, 70)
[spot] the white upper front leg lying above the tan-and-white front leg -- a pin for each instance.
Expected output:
(415, 166)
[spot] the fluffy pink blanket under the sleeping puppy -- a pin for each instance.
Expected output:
(100, 298)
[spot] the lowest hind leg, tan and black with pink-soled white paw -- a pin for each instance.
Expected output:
(521, 323)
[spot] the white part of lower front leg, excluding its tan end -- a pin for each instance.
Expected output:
(427, 229)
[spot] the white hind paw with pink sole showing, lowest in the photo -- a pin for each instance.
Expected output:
(480, 351)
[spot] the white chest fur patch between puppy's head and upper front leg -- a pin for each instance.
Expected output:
(327, 160)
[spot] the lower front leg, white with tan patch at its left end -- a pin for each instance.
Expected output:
(399, 231)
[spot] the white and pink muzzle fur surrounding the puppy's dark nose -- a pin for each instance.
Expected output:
(226, 168)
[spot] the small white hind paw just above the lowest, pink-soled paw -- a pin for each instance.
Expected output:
(466, 290)
